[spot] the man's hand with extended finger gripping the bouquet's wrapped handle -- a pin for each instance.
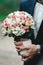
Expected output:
(31, 51)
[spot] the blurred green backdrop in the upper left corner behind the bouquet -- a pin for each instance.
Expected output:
(8, 6)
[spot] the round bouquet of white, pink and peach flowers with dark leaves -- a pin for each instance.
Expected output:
(18, 24)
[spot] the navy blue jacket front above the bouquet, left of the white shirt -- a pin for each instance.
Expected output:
(28, 6)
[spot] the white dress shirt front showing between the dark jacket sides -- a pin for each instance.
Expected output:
(38, 17)
